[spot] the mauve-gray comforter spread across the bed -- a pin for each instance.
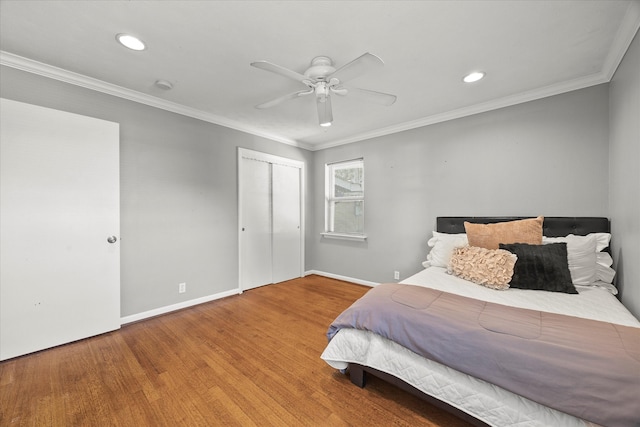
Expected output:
(583, 367)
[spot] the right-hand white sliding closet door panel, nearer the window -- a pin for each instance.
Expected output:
(286, 223)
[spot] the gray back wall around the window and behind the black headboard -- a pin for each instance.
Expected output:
(546, 157)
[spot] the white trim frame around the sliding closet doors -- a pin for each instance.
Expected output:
(244, 153)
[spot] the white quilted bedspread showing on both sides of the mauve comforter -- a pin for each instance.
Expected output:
(484, 401)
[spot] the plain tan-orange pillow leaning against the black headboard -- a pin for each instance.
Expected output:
(490, 236)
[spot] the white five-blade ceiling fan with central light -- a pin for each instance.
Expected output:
(323, 79)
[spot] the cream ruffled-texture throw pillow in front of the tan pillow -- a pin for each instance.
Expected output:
(492, 268)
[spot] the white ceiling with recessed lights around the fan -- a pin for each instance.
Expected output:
(529, 49)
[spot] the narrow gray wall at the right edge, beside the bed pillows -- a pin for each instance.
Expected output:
(624, 178)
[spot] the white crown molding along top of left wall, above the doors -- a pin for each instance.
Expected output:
(55, 73)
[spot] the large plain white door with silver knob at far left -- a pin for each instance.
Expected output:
(59, 203)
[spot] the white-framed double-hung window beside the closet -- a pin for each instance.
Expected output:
(344, 201)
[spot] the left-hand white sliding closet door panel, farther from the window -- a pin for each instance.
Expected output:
(255, 224)
